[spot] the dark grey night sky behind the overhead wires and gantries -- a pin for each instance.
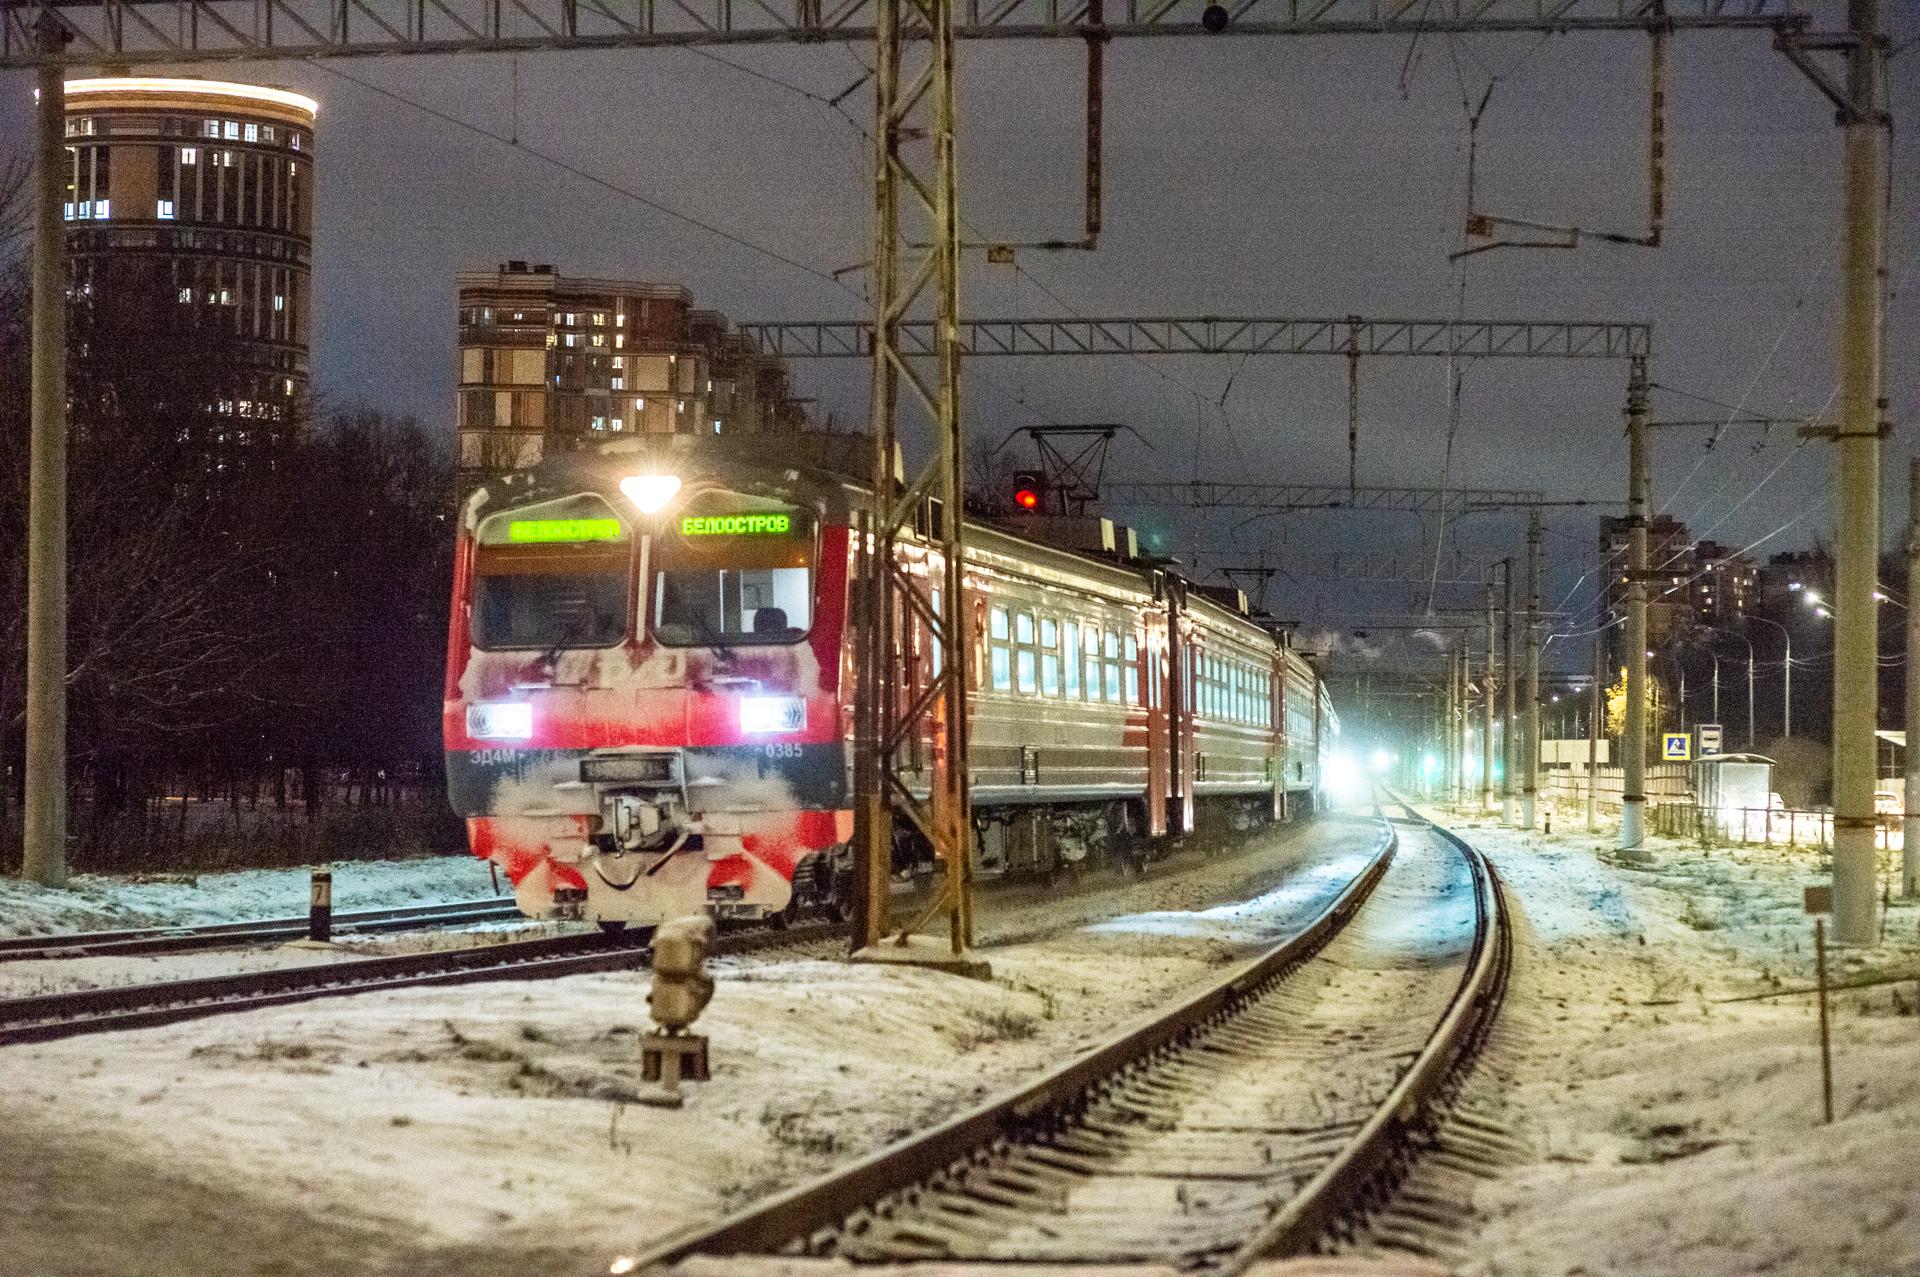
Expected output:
(1243, 176)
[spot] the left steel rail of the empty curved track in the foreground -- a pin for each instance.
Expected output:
(825, 1203)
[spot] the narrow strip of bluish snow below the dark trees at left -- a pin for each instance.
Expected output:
(108, 902)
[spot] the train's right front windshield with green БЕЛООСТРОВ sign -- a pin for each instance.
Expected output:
(732, 573)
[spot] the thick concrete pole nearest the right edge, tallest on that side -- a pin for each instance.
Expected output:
(1858, 479)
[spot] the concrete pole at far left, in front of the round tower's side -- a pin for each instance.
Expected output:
(45, 831)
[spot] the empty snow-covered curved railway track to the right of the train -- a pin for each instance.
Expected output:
(1276, 1113)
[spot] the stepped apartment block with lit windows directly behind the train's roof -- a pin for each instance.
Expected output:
(552, 362)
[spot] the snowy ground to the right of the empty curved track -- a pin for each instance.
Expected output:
(1679, 1130)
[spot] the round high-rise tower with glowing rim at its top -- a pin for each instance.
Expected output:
(199, 195)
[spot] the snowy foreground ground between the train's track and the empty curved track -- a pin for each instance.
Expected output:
(489, 1128)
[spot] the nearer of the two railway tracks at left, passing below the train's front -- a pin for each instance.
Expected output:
(133, 1007)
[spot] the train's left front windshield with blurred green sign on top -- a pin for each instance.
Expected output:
(552, 577)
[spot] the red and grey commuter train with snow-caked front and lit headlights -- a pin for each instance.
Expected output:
(650, 692)
